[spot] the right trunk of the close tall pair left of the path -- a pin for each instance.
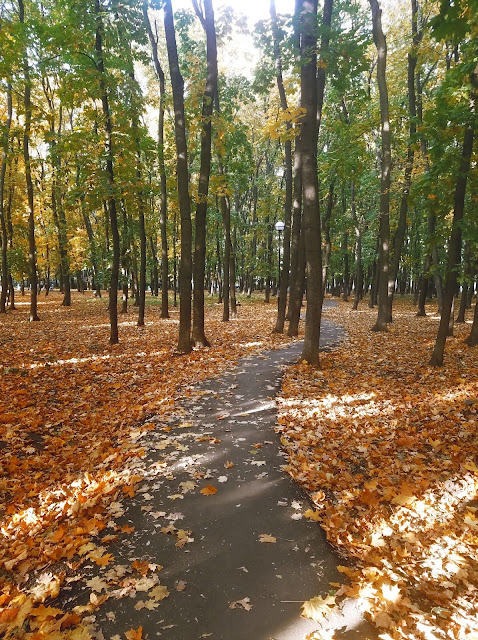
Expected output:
(198, 335)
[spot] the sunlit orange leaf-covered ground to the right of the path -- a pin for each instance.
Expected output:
(387, 447)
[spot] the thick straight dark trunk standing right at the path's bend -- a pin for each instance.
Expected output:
(310, 185)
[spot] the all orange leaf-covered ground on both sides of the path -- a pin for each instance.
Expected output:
(385, 444)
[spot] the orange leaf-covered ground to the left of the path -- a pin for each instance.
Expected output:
(72, 410)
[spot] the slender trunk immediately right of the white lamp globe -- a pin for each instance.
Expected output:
(284, 275)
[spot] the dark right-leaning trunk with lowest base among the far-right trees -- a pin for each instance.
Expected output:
(454, 245)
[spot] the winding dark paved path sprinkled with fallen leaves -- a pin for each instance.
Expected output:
(227, 420)
